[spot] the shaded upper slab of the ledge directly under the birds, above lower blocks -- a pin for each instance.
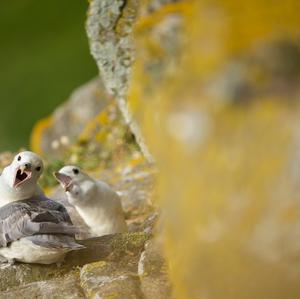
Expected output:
(122, 249)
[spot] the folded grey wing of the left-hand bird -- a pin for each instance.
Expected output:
(22, 222)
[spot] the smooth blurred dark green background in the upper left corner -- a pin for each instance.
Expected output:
(44, 55)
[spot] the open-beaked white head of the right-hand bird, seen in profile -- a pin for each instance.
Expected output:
(77, 184)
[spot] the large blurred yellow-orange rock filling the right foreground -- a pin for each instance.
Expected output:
(229, 181)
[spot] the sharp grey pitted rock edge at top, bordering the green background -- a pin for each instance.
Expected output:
(109, 28)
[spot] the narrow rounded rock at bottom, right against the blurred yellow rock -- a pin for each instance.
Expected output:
(152, 269)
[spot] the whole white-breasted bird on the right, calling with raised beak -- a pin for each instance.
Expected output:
(96, 202)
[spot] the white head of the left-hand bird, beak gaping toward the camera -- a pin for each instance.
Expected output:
(21, 176)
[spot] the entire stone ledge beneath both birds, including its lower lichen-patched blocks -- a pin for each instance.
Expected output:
(107, 265)
